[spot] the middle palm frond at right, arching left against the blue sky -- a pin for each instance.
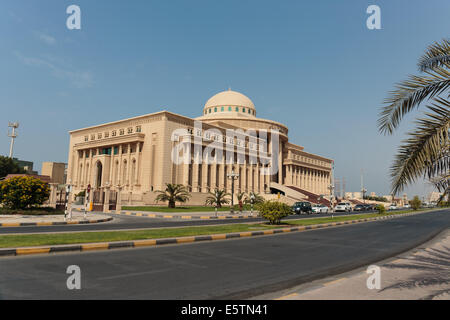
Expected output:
(409, 94)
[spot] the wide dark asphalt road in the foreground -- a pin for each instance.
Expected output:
(229, 269)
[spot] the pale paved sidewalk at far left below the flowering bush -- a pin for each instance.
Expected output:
(26, 220)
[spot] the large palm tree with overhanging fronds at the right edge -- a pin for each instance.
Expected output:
(426, 151)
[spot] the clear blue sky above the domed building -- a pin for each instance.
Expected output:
(311, 65)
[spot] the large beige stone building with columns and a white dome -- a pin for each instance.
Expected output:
(136, 155)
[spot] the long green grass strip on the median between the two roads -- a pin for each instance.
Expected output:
(9, 241)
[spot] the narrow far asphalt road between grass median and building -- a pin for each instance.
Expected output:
(122, 222)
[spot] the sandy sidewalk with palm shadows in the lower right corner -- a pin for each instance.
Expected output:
(424, 274)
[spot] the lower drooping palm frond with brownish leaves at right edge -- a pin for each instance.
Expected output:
(426, 150)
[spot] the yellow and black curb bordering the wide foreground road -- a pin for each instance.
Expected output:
(179, 240)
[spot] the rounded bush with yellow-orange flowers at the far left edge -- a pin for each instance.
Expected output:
(23, 192)
